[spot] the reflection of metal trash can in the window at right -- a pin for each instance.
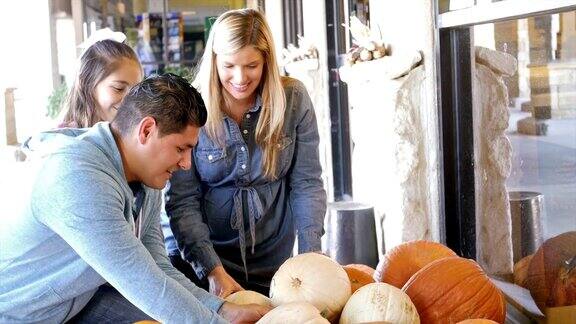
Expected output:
(526, 210)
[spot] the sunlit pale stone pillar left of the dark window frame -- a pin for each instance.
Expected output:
(391, 158)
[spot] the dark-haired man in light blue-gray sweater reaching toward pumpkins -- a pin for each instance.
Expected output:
(88, 247)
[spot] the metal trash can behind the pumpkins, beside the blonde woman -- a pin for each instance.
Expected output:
(351, 233)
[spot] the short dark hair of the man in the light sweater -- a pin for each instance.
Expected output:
(168, 98)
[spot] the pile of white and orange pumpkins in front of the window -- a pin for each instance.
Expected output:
(415, 282)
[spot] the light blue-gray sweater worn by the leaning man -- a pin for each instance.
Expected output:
(77, 232)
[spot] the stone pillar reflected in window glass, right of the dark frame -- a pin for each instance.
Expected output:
(492, 154)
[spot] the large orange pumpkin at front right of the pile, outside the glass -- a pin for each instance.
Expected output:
(453, 289)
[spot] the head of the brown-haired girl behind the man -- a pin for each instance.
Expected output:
(108, 69)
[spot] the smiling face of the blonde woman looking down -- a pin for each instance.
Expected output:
(240, 73)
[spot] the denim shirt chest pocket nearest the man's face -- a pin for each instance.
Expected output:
(211, 164)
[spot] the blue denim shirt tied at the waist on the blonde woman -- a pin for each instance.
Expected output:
(224, 211)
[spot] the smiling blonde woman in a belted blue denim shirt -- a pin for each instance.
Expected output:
(255, 178)
